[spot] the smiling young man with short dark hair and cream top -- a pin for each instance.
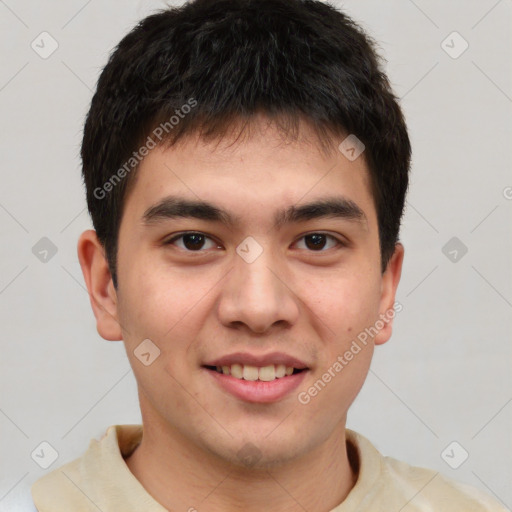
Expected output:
(246, 166)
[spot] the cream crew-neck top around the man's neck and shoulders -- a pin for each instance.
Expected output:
(101, 480)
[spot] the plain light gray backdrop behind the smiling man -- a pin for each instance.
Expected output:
(444, 376)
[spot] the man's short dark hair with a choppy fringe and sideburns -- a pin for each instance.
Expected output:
(204, 65)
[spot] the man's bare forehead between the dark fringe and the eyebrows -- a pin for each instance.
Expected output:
(259, 173)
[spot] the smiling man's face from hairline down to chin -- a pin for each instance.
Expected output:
(276, 266)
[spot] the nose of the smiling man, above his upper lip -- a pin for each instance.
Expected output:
(256, 296)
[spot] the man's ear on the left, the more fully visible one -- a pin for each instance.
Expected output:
(100, 286)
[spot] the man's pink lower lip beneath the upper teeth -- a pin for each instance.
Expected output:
(257, 390)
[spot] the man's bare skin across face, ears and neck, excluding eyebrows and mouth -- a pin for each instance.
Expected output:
(199, 305)
